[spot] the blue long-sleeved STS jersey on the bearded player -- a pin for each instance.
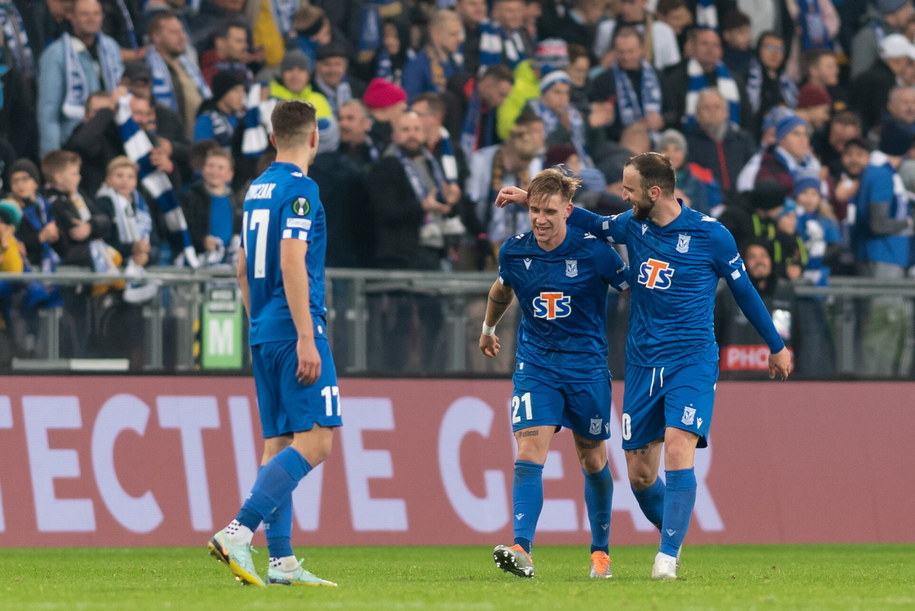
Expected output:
(674, 275)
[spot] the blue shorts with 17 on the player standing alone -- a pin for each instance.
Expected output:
(285, 404)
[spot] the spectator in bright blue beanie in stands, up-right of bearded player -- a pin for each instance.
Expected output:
(783, 161)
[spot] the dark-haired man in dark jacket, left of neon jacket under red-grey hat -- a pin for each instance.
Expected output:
(472, 108)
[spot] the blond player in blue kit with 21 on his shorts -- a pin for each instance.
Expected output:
(560, 275)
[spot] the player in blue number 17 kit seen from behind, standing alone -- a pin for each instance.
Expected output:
(281, 275)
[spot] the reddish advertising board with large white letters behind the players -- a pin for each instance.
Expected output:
(110, 461)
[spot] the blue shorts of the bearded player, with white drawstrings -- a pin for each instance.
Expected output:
(678, 396)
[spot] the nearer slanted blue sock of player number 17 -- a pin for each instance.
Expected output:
(273, 489)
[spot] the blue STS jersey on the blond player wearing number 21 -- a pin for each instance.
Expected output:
(563, 298)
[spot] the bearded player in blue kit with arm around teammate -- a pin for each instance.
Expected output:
(676, 256)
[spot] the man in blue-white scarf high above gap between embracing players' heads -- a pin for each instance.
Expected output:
(633, 83)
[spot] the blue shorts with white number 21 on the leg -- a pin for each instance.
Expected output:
(583, 407)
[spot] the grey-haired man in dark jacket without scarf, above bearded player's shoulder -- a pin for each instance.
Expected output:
(717, 143)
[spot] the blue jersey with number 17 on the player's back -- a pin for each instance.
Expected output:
(282, 204)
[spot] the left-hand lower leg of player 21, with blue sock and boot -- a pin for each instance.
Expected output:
(527, 499)
